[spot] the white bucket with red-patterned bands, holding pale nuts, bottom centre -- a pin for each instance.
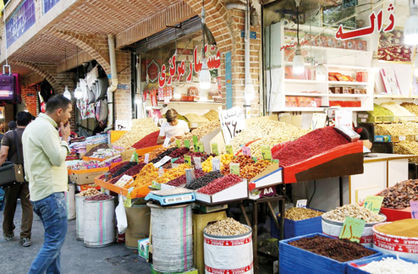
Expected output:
(228, 254)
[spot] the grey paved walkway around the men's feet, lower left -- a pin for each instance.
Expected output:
(75, 258)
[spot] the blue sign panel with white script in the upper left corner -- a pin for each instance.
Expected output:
(20, 21)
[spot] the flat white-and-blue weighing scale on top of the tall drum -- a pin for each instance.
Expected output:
(175, 196)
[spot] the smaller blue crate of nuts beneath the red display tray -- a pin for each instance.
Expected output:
(297, 228)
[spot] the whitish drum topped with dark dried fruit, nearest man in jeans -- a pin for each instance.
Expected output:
(98, 222)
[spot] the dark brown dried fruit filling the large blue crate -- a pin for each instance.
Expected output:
(340, 250)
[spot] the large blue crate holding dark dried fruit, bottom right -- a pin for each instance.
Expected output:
(296, 260)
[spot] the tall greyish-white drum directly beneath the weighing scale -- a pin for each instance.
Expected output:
(172, 238)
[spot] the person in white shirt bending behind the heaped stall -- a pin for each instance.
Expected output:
(172, 128)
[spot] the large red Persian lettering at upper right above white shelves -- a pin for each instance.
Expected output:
(343, 35)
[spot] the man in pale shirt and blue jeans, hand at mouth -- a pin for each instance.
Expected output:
(44, 155)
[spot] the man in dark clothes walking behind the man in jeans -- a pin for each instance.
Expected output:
(11, 150)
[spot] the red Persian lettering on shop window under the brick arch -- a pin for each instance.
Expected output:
(164, 78)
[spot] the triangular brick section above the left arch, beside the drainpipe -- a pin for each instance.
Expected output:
(94, 45)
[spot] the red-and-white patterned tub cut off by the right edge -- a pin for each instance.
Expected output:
(405, 247)
